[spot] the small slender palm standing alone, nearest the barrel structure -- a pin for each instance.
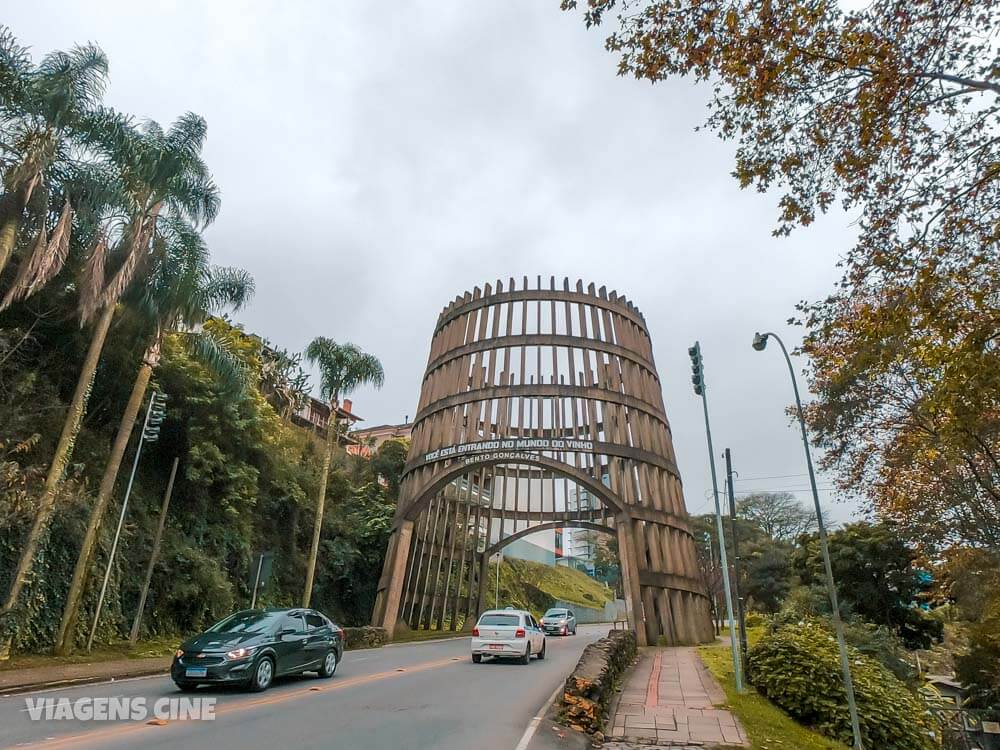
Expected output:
(342, 369)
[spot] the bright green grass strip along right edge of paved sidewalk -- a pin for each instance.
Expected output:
(768, 727)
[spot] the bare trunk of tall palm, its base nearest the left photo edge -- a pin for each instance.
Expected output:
(64, 449)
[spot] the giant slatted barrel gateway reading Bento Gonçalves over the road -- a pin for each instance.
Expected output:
(540, 409)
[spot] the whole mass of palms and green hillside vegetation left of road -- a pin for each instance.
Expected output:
(108, 293)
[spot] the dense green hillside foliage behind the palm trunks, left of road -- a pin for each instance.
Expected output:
(246, 483)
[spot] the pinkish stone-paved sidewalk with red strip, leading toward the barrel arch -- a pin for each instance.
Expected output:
(669, 699)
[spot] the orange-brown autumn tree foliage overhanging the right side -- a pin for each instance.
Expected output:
(891, 108)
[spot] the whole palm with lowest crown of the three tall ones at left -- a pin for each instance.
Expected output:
(182, 292)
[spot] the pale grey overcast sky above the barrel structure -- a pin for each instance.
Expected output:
(377, 159)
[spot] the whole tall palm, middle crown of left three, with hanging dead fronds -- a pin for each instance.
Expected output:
(161, 174)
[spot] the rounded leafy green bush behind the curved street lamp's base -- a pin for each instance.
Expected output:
(797, 667)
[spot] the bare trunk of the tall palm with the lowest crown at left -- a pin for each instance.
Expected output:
(67, 627)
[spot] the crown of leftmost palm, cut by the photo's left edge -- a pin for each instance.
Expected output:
(45, 113)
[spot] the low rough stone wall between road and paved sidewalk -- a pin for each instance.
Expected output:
(590, 687)
